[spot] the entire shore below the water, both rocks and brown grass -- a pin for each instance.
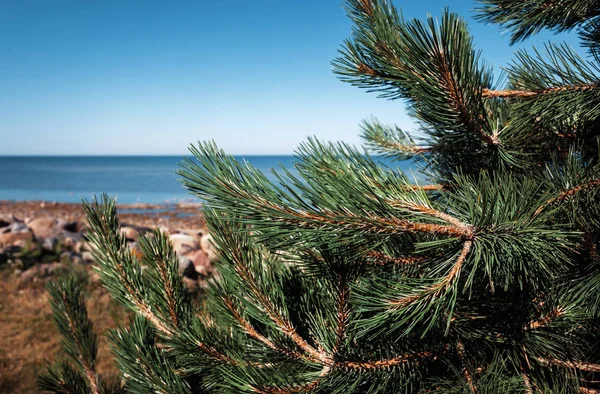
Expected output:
(41, 241)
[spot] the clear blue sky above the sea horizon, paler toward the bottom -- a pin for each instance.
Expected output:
(144, 77)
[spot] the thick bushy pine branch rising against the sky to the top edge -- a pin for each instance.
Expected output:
(415, 59)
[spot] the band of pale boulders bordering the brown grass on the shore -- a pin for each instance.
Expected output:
(38, 246)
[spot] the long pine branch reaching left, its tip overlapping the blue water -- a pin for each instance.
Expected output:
(221, 180)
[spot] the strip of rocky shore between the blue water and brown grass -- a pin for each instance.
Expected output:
(37, 237)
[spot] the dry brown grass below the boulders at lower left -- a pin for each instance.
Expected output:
(28, 337)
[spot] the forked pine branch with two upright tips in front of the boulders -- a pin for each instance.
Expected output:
(121, 273)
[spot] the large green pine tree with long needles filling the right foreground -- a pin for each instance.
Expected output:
(351, 277)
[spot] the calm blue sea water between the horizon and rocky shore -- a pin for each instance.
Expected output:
(148, 179)
